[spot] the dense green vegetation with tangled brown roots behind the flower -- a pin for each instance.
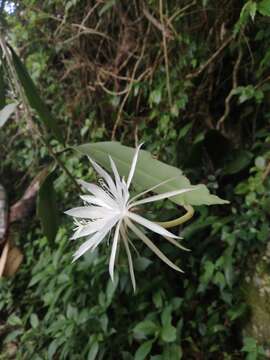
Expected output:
(188, 78)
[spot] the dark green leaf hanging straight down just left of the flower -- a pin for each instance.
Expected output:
(47, 208)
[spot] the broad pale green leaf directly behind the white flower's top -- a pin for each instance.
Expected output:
(149, 172)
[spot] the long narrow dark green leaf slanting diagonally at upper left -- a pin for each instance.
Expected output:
(33, 97)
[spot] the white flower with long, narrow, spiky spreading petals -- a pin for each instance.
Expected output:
(110, 207)
